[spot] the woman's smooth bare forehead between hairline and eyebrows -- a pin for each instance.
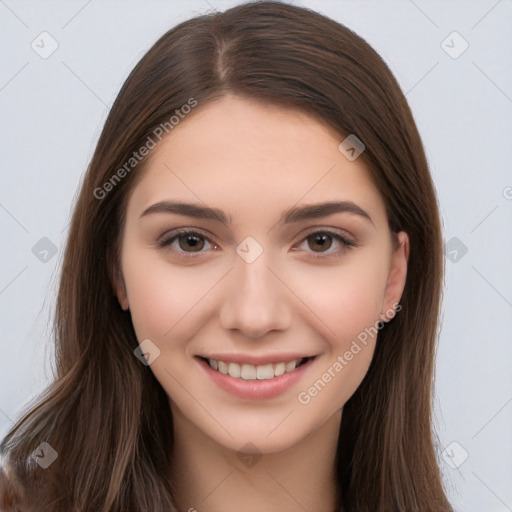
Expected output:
(248, 157)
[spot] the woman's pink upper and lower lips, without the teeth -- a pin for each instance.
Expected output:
(256, 389)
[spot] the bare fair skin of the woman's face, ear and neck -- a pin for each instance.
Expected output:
(254, 161)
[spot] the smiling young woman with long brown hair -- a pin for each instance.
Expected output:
(211, 355)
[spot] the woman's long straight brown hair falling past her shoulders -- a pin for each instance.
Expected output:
(105, 414)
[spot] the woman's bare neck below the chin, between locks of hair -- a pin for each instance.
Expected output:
(209, 477)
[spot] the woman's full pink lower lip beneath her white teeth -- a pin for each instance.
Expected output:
(256, 389)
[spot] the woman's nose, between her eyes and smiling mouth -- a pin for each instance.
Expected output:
(256, 301)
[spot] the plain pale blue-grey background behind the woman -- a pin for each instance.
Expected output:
(53, 110)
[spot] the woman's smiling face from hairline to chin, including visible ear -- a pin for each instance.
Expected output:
(262, 310)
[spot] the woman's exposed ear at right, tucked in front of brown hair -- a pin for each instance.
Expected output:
(397, 276)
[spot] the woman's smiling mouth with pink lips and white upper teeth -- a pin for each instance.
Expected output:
(263, 381)
